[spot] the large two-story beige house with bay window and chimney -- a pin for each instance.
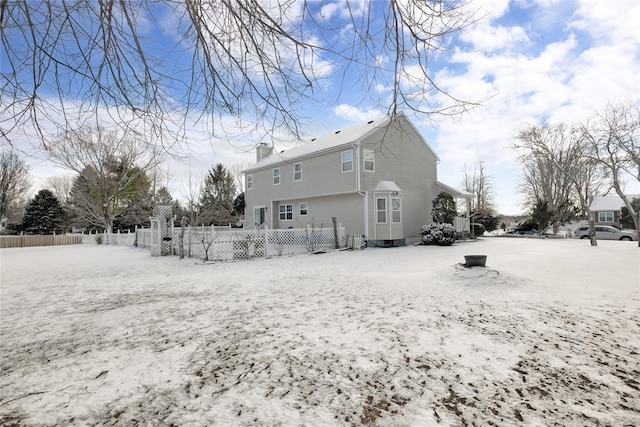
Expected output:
(378, 179)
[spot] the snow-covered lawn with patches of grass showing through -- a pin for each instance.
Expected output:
(547, 334)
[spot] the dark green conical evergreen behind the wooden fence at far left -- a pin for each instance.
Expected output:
(43, 214)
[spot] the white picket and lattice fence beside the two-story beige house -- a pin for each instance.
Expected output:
(229, 244)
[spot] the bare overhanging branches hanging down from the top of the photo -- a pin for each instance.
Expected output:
(160, 66)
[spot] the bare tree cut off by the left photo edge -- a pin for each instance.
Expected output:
(14, 180)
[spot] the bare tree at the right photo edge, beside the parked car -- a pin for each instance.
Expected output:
(614, 137)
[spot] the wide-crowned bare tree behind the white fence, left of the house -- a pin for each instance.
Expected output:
(110, 169)
